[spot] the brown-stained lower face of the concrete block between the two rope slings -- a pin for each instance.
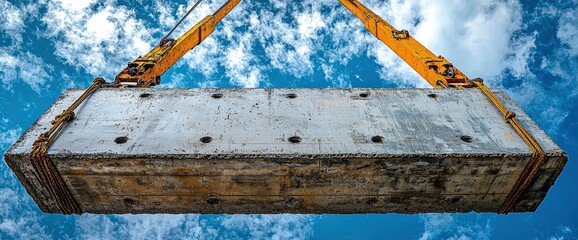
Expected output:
(299, 186)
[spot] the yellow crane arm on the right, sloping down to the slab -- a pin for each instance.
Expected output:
(436, 70)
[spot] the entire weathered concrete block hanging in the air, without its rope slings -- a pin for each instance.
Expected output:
(441, 151)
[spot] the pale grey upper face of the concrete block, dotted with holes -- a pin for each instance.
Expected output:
(237, 123)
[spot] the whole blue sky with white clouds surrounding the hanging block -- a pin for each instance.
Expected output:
(529, 48)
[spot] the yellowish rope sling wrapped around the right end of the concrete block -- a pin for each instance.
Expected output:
(536, 160)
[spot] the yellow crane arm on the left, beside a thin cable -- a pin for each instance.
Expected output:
(146, 70)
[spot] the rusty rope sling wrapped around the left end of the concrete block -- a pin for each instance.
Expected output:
(46, 171)
